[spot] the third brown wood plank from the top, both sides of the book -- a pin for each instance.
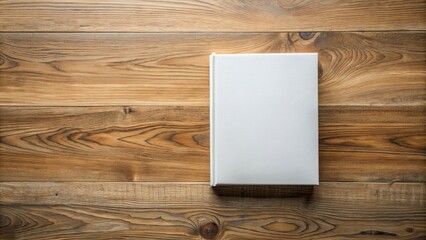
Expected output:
(169, 143)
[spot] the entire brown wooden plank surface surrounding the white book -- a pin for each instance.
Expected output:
(104, 119)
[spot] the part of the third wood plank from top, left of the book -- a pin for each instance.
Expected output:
(104, 144)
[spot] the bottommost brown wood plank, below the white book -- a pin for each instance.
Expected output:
(177, 211)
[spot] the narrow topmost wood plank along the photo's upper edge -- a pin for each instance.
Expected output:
(211, 16)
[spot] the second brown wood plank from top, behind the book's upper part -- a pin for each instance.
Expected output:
(173, 69)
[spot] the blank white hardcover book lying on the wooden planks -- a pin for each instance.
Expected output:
(264, 119)
